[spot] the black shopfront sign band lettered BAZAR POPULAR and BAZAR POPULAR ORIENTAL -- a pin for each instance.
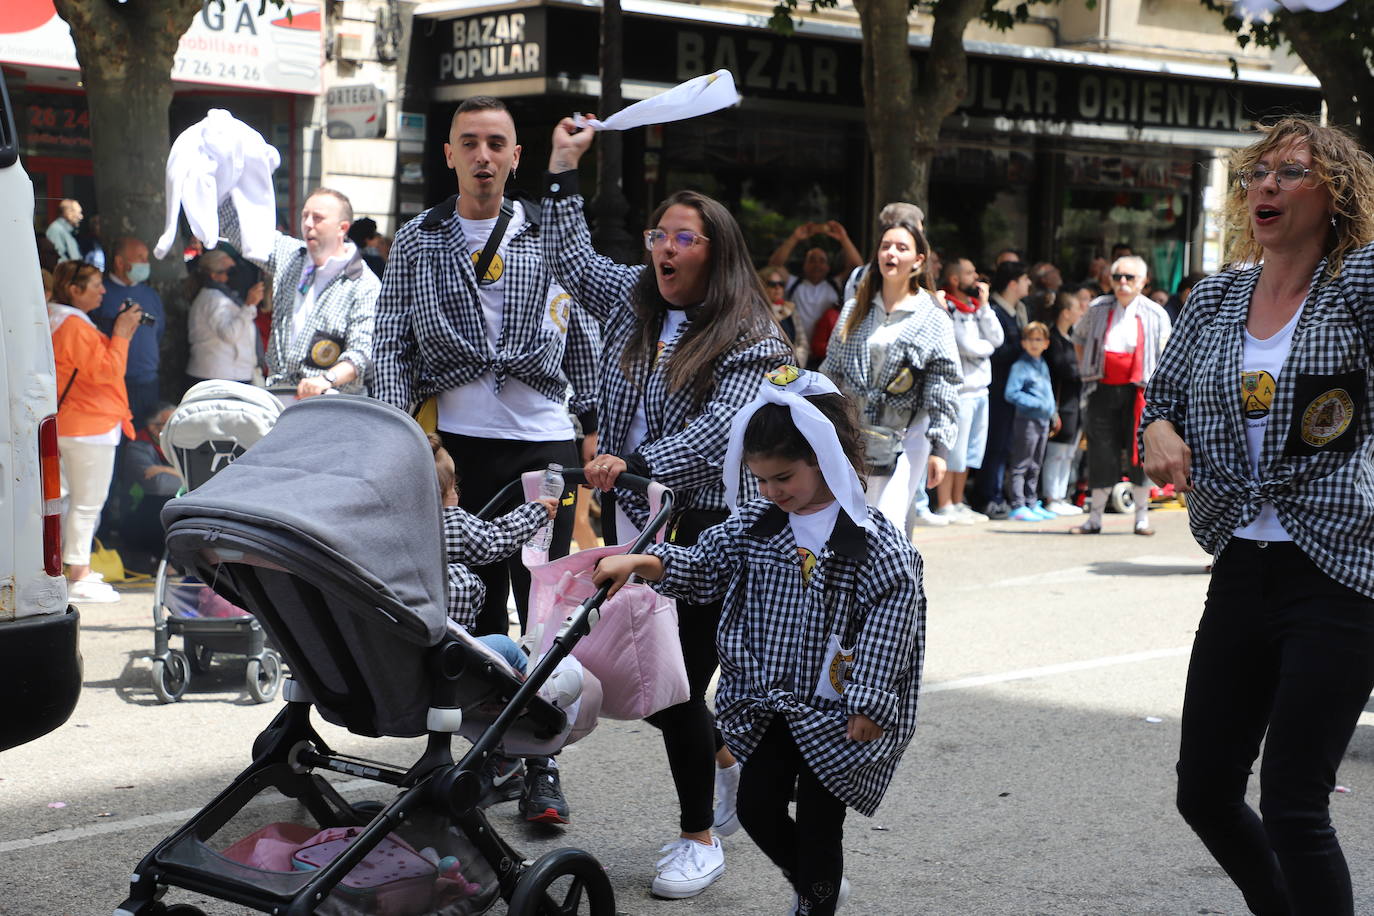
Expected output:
(810, 71)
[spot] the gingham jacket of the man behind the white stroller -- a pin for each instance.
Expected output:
(344, 310)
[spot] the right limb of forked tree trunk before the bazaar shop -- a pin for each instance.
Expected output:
(941, 90)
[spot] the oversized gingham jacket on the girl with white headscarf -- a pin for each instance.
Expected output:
(774, 627)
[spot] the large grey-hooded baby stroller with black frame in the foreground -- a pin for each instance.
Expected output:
(340, 554)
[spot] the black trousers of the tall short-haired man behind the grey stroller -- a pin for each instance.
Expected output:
(484, 468)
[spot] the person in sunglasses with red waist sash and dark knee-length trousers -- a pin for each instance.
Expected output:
(1119, 344)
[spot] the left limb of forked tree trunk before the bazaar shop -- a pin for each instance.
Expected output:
(890, 111)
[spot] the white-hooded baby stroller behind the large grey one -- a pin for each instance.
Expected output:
(215, 424)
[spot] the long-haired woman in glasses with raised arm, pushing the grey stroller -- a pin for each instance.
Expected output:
(688, 337)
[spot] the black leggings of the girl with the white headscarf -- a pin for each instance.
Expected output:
(810, 851)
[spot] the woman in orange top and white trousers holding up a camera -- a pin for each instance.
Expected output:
(93, 414)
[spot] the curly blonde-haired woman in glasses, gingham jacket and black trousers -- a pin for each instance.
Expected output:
(1262, 413)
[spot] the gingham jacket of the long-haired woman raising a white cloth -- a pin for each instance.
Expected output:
(686, 444)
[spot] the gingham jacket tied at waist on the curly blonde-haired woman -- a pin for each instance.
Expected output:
(1324, 494)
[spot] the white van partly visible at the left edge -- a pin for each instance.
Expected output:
(41, 660)
